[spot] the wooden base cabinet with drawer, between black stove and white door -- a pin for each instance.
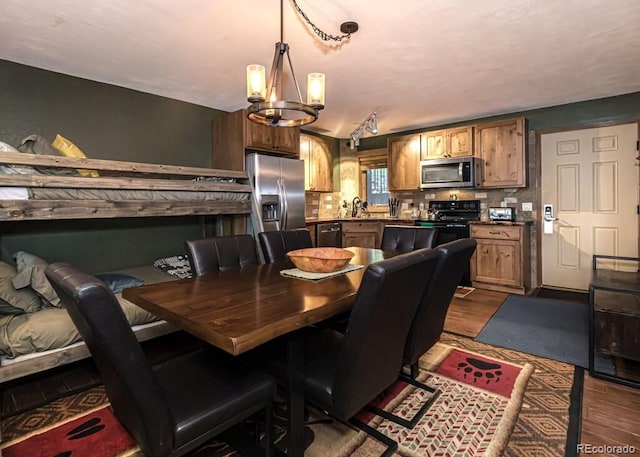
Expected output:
(501, 260)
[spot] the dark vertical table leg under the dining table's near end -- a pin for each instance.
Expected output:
(295, 363)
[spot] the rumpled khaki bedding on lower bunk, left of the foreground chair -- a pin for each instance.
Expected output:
(35, 332)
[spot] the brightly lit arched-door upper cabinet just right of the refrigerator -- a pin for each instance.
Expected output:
(318, 163)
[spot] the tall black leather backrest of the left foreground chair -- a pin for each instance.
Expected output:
(134, 392)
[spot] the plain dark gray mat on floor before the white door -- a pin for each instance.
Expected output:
(554, 329)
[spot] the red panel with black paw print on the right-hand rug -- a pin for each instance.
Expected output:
(496, 376)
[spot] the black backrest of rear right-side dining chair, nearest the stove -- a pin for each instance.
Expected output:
(428, 324)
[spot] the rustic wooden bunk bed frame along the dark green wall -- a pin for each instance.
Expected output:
(56, 189)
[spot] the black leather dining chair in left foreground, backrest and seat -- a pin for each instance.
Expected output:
(176, 406)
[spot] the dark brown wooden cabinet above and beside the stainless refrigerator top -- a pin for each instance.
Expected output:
(233, 134)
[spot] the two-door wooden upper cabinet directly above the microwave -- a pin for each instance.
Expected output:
(455, 142)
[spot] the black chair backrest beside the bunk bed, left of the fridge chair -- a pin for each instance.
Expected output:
(223, 253)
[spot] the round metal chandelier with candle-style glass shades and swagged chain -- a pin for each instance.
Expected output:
(268, 105)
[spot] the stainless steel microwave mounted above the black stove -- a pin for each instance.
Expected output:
(450, 172)
